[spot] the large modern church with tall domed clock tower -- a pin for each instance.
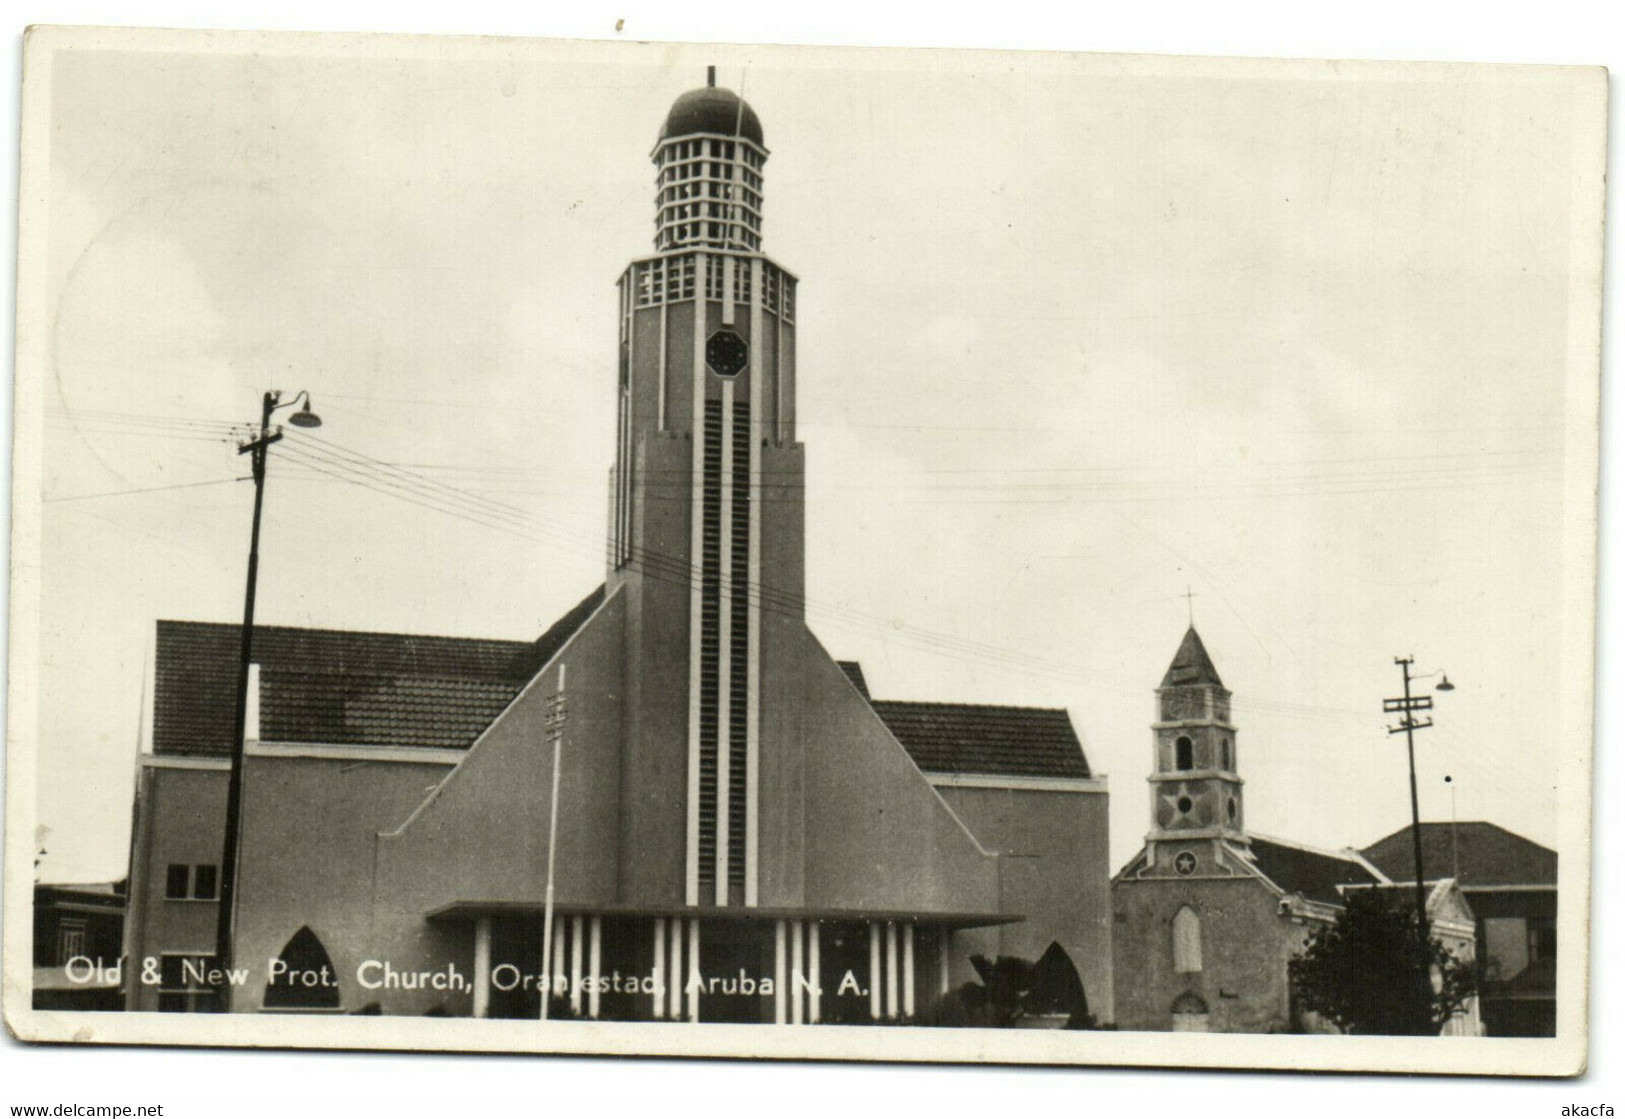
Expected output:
(742, 832)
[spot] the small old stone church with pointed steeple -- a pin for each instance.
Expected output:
(1210, 915)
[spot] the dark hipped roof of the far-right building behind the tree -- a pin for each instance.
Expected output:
(1483, 855)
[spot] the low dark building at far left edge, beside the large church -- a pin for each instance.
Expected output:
(79, 933)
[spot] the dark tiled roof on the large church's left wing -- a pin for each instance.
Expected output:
(342, 688)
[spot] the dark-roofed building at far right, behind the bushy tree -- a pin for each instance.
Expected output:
(1512, 886)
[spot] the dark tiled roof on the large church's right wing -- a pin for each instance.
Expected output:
(1005, 741)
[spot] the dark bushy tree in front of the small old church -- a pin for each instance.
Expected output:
(1379, 972)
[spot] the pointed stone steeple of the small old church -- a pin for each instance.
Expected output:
(1195, 788)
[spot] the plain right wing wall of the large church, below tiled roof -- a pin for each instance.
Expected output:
(1054, 871)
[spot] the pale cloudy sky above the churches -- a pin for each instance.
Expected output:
(1077, 337)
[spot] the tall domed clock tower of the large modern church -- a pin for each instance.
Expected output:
(708, 551)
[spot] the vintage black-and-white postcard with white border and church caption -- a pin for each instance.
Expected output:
(804, 553)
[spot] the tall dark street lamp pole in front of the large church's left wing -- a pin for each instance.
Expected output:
(258, 449)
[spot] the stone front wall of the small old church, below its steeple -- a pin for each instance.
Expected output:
(1247, 944)
